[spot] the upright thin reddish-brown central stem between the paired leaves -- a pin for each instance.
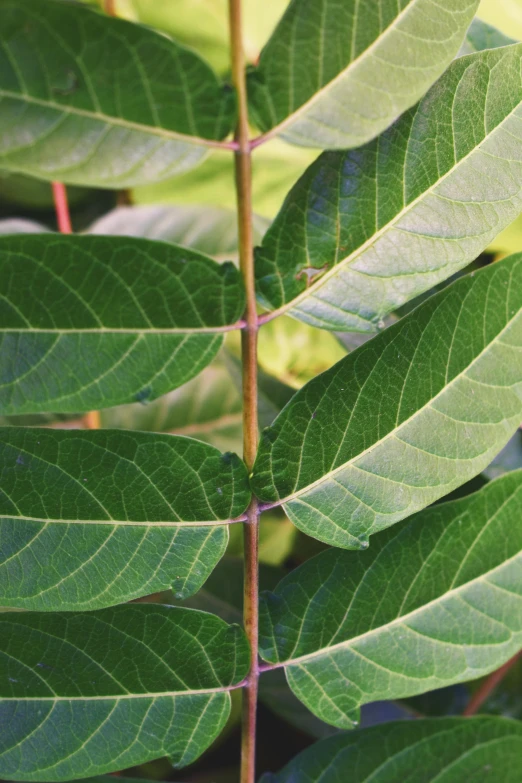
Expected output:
(243, 167)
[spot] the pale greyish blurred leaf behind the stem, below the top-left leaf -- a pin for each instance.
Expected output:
(210, 230)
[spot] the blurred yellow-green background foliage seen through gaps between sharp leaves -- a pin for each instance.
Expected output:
(197, 210)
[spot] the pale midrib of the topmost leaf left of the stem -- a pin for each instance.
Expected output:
(119, 122)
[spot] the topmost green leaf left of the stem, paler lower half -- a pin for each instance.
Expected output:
(77, 87)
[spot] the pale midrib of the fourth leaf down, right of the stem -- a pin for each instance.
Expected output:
(347, 644)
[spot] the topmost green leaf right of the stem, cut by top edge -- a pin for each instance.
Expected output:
(336, 75)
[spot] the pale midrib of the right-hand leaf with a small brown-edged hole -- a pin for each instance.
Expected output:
(354, 256)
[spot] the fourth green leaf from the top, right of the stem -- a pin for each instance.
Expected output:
(435, 601)
